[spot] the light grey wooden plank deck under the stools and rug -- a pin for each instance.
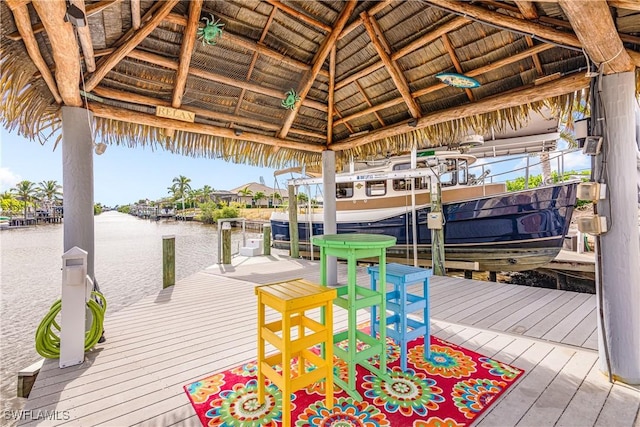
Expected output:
(207, 323)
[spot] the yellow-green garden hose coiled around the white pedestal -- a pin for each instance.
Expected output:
(48, 340)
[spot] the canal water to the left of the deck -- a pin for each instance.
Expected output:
(128, 264)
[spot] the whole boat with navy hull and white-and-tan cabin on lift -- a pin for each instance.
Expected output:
(483, 223)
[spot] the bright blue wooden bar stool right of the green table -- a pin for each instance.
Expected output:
(399, 326)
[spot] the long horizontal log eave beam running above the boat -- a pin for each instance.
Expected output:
(529, 94)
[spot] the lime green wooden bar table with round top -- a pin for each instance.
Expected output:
(352, 297)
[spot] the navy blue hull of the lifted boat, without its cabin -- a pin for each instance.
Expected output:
(509, 232)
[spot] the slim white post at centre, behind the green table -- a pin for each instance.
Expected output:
(329, 208)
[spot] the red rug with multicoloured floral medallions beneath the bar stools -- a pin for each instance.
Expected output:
(451, 389)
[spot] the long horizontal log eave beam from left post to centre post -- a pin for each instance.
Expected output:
(129, 116)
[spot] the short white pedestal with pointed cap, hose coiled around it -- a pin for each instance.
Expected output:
(73, 312)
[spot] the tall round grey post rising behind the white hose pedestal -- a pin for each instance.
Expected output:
(77, 179)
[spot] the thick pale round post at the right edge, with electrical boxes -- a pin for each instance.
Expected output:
(619, 248)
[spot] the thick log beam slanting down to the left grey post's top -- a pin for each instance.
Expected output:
(64, 48)
